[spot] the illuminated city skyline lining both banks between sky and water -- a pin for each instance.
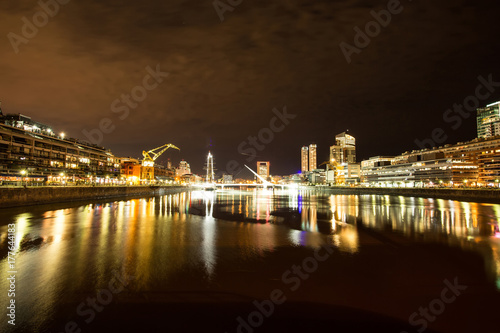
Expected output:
(33, 157)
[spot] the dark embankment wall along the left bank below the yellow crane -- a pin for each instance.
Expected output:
(18, 196)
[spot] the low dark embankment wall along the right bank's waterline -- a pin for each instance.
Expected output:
(462, 194)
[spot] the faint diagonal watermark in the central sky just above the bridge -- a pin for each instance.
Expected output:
(256, 143)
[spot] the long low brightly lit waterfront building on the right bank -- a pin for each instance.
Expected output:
(473, 163)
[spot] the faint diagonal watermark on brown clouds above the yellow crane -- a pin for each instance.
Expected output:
(122, 105)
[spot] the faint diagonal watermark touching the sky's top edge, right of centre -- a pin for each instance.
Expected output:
(372, 29)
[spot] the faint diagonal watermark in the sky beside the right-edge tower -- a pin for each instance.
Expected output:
(461, 111)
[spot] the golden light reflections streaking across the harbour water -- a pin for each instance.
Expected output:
(158, 240)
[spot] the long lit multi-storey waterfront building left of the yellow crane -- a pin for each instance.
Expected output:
(32, 150)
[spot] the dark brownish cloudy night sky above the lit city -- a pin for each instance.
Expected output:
(226, 77)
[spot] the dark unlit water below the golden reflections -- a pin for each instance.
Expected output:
(377, 289)
